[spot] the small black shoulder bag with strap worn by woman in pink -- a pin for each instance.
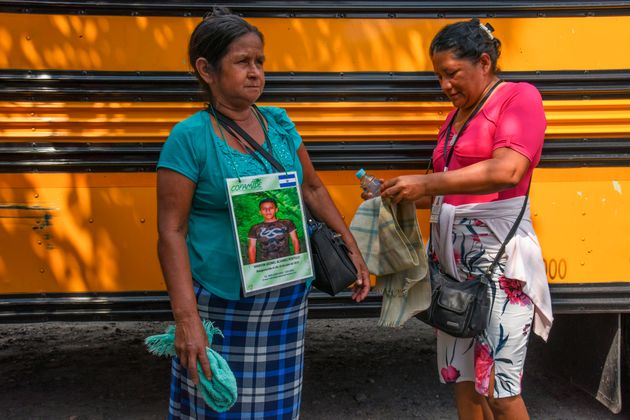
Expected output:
(462, 309)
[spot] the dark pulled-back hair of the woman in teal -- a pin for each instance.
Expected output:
(213, 36)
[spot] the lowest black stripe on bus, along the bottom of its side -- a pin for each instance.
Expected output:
(578, 298)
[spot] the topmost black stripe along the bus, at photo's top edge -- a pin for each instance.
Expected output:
(327, 9)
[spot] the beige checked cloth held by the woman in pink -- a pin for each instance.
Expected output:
(389, 239)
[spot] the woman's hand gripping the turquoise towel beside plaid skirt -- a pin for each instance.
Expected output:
(191, 342)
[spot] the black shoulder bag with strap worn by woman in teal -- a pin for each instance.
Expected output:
(333, 267)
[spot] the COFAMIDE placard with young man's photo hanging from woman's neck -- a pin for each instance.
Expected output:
(267, 214)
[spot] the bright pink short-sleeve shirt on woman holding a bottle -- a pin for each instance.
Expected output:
(513, 117)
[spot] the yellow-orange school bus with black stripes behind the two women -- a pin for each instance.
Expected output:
(90, 90)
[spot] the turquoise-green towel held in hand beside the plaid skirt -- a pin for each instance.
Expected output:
(220, 392)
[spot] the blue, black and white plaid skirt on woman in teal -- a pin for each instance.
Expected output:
(264, 345)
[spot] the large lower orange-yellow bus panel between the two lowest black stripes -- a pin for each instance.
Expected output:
(97, 232)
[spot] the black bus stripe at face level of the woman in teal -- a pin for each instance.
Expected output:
(291, 86)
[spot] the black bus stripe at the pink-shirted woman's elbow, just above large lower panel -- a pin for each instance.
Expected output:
(326, 156)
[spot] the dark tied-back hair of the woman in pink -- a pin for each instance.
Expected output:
(468, 40)
